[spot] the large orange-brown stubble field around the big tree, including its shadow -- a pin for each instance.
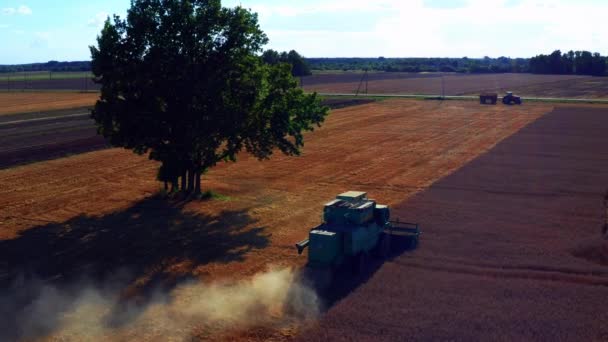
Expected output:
(95, 215)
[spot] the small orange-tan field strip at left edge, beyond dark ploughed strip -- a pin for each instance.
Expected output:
(23, 102)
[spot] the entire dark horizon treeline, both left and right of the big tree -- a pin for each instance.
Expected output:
(572, 62)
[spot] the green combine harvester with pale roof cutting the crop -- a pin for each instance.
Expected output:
(354, 227)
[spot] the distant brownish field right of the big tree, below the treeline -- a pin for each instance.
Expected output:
(567, 86)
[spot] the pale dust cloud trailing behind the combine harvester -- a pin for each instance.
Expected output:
(88, 313)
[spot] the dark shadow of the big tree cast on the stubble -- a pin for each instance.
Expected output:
(147, 249)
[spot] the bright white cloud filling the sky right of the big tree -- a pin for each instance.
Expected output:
(410, 29)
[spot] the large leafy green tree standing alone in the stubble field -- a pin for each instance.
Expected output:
(184, 82)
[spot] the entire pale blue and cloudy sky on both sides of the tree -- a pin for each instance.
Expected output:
(42, 30)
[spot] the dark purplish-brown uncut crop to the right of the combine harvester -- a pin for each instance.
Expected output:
(512, 247)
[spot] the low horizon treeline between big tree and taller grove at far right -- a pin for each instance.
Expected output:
(461, 65)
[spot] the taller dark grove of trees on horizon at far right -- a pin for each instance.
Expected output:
(570, 63)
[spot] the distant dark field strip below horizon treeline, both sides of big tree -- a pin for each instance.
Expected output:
(527, 85)
